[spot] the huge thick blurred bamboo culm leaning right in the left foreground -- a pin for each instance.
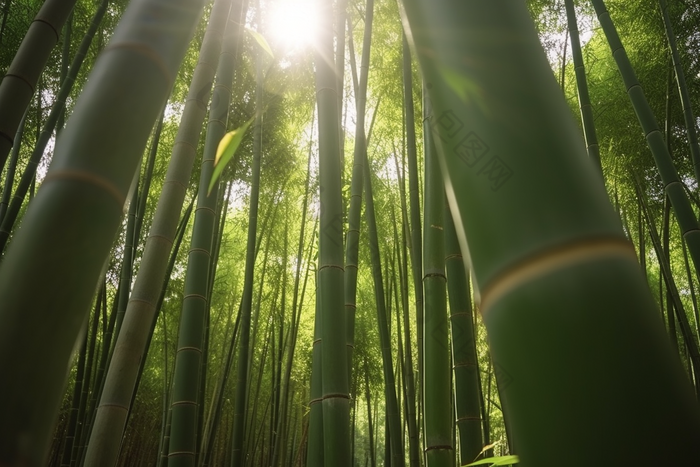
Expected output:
(69, 229)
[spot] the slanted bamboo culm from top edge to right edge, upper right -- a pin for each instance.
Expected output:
(673, 187)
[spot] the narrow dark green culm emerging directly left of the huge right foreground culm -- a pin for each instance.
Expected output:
(464, 356)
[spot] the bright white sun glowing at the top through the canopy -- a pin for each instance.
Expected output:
(293, 24)
